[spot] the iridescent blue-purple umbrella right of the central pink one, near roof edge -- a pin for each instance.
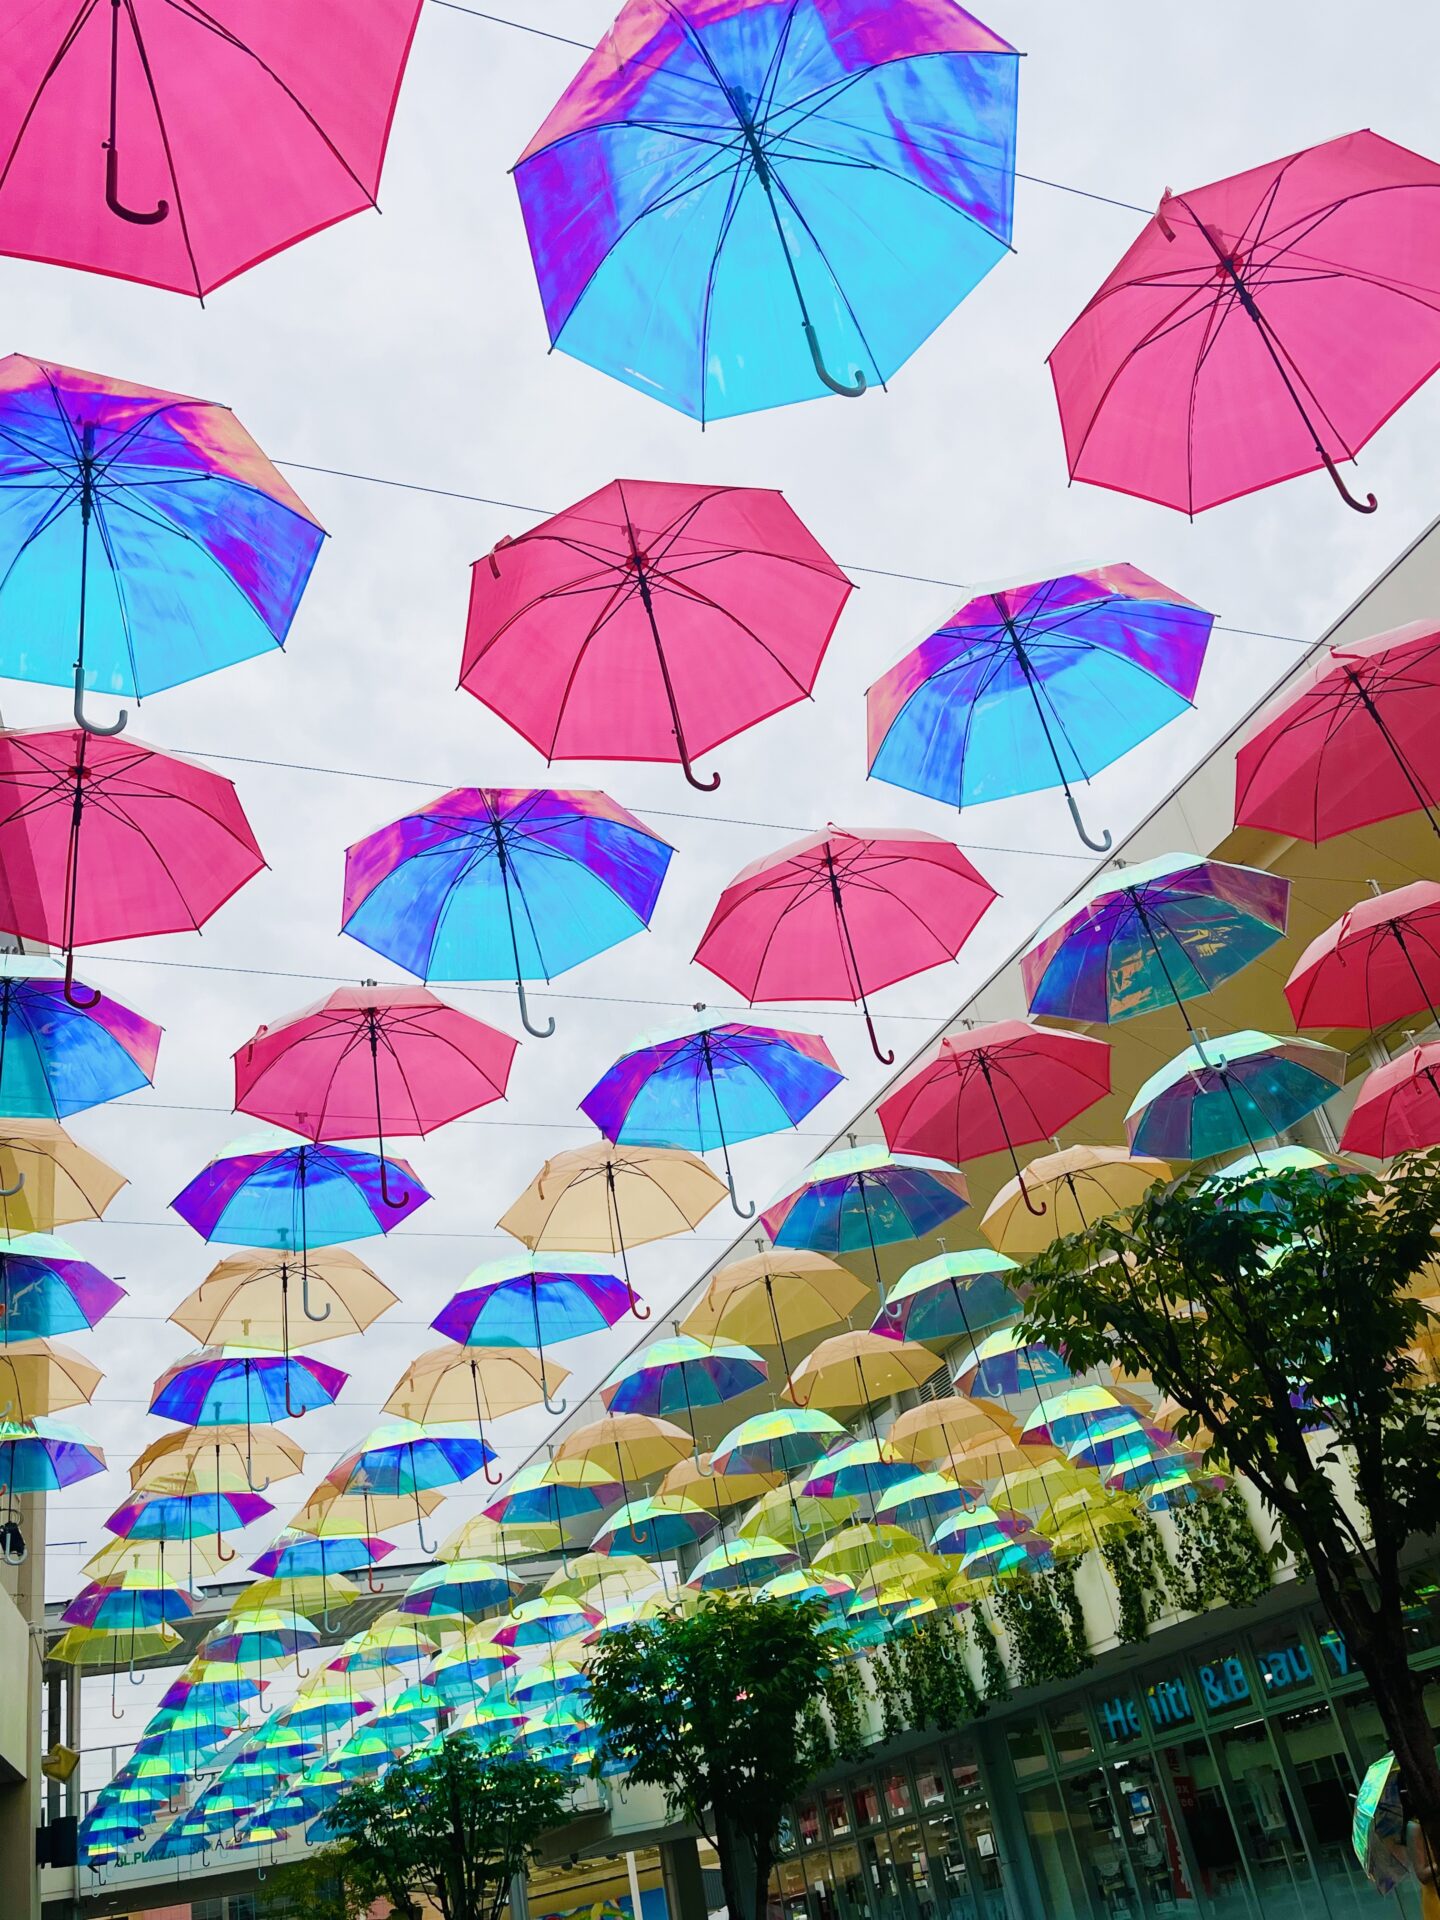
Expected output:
(1038, 686)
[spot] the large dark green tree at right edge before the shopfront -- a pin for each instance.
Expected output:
(1285, 1332)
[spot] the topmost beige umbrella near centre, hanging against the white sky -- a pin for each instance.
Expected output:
(610, 1199)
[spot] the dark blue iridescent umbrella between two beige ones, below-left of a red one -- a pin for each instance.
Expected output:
(867, 1197)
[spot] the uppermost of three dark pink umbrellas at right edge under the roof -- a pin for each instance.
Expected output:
(1351, 746)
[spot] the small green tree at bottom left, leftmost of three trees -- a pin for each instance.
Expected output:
(454, 1825)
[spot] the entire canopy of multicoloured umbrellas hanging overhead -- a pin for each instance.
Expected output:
(706, 226)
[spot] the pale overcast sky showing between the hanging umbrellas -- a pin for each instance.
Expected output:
(414, 347)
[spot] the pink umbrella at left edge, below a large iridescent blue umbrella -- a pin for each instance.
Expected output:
(108, 840)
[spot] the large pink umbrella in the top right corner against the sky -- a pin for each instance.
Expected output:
(1259, 329)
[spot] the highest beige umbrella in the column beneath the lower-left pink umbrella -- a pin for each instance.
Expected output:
(264, 1301)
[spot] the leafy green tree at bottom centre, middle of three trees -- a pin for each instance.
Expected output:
(711, 1706)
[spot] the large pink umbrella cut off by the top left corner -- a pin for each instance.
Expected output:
(229, 130)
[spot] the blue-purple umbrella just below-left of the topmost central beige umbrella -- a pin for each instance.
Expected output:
(525, 1305)
